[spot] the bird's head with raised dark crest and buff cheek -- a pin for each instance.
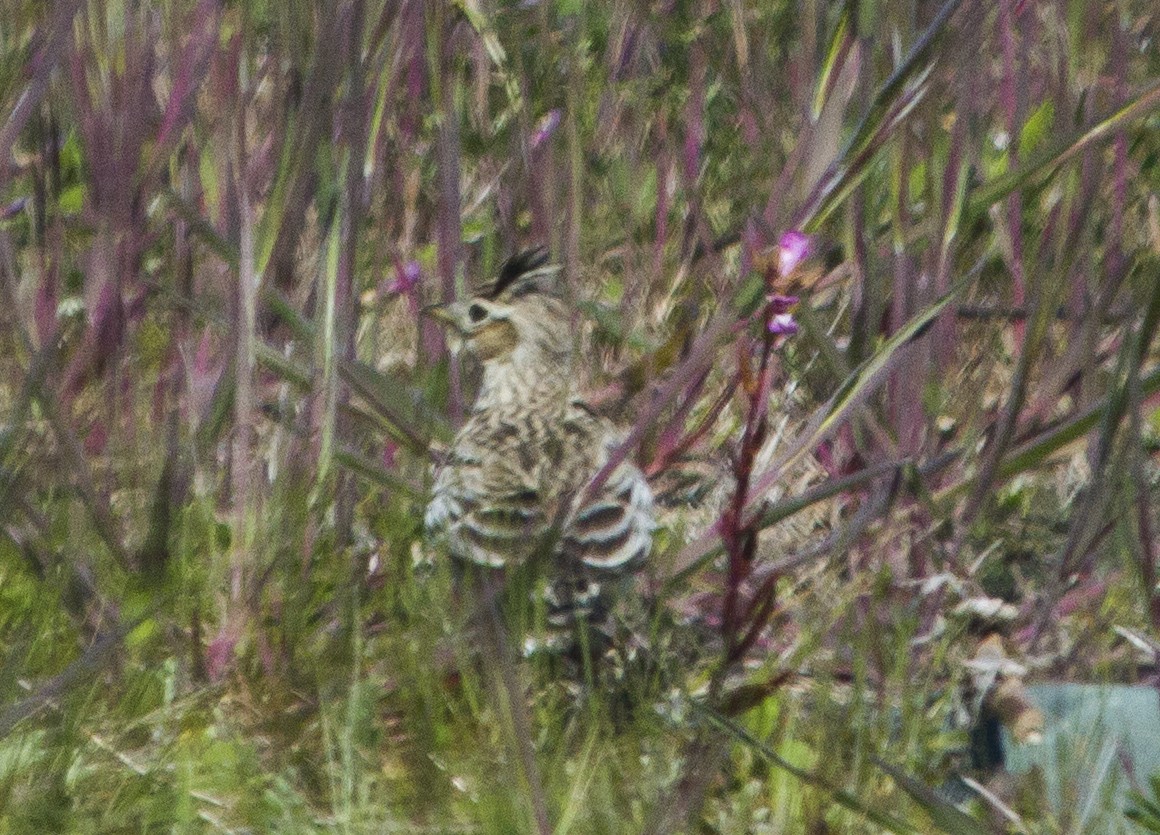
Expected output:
(519, 318)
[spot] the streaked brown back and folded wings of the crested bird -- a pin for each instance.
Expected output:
(514, 487)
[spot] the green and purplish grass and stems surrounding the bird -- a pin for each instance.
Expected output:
(219, 402)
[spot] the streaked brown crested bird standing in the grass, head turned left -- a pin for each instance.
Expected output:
(516, 490)
